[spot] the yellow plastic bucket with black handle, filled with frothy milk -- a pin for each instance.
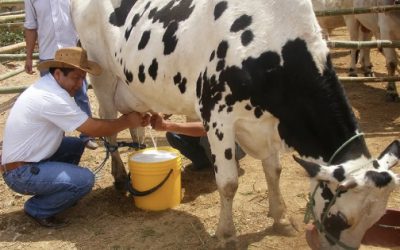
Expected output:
(155, 181)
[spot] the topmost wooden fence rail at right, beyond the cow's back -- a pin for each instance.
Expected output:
(352, 11)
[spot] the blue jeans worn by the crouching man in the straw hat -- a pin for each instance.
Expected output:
(56, 183)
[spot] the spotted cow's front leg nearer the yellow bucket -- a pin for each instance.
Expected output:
(226, 174)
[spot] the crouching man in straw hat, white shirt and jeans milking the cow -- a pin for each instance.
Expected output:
(37, 158)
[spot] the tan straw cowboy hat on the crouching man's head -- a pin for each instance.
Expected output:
(74, 57)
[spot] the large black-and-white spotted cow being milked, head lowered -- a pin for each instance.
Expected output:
(256, 72)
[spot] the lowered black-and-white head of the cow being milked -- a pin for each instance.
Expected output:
(347, 199)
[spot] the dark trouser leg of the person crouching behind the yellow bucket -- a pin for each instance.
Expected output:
(190, 147)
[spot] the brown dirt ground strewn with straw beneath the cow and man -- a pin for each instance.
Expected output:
(108, 220)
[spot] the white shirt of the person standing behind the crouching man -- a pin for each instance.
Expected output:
(52, 20)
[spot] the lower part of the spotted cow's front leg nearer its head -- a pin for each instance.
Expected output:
(277, 208)
